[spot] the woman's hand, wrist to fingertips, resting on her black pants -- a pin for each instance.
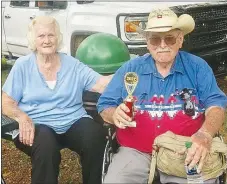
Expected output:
(26, 130)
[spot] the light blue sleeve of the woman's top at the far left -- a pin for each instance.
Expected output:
(13, 85)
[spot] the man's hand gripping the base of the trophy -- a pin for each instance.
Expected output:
(121, 119)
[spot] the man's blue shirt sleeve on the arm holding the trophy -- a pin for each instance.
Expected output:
(112, 95)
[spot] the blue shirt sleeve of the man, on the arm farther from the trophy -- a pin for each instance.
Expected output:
(209, 92)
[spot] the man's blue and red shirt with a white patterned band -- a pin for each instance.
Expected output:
(176, 102)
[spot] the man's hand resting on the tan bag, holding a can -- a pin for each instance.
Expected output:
(201, 144)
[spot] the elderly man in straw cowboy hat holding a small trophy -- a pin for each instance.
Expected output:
(171, 85)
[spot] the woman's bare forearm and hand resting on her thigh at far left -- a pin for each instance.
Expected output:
(26, 127)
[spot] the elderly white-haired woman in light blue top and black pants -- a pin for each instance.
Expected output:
(43, 93)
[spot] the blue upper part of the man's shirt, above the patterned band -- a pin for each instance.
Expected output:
(188, 71)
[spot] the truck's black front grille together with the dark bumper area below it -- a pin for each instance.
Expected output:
(209, 39)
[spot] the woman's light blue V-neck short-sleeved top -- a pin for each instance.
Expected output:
(58, 108)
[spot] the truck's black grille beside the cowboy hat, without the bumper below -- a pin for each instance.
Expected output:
(211, 26)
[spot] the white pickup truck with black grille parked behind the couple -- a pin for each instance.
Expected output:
(80, 19)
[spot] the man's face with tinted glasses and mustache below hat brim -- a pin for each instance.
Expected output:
(164, 46)
